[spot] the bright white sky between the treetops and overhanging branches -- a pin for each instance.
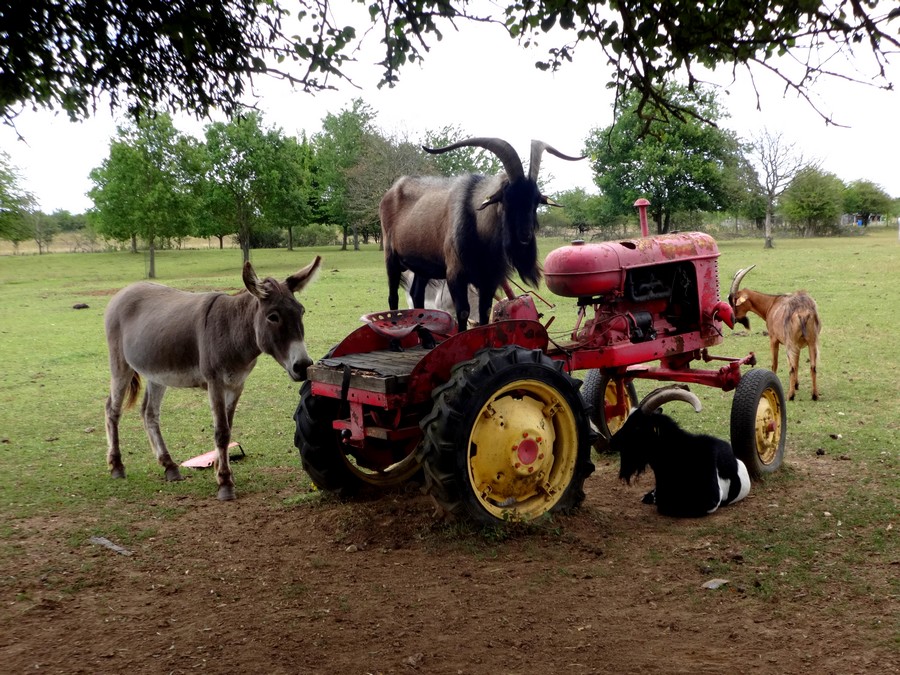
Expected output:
(484, 82)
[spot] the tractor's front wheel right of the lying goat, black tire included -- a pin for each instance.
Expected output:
(759, 422)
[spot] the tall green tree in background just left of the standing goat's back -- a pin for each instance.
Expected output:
(339, 149)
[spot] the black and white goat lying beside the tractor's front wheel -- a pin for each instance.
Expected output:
(695, 474)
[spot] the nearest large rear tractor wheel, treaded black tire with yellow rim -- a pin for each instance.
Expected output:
(508, 438)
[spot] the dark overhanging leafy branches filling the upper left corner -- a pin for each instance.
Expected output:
(155, 54)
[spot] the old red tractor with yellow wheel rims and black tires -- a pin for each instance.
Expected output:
(492, 415)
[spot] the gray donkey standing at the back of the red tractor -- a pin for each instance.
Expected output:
(174, 338)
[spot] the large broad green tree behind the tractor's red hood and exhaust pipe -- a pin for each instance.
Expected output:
(680, 165)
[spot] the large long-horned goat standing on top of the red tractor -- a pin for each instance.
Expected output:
(468, 229)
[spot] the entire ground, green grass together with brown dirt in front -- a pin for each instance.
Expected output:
(288, 580)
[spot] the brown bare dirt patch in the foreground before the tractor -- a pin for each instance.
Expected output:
(384, 587)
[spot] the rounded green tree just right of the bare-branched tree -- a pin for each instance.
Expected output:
(813, 201)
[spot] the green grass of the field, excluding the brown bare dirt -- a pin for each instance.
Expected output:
(54, 372)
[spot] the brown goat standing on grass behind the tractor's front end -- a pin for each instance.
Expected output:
(791, 319)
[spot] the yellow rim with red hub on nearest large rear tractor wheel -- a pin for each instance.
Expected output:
(522, 450)
